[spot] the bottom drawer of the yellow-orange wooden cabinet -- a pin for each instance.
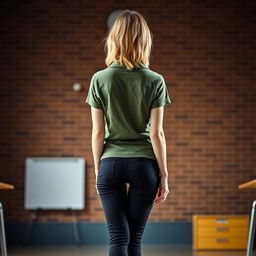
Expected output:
(222, 243)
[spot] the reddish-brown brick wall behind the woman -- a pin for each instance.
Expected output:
(204, 50)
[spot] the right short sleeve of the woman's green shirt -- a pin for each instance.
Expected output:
(161, 95)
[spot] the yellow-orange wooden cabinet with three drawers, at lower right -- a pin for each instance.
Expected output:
(220, 231)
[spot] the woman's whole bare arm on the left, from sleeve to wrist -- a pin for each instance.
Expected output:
(98, 134)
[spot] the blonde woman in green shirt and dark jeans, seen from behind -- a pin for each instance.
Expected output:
(127, 100)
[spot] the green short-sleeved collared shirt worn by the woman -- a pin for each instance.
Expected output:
(126, 97)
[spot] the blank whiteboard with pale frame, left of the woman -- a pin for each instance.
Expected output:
(54, 183)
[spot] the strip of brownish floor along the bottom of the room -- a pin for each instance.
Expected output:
(147, 250)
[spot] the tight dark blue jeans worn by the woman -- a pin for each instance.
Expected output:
(127, 210)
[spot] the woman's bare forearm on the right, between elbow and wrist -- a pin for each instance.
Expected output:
(159, 147)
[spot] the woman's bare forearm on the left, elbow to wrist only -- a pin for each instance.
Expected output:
(97, 149)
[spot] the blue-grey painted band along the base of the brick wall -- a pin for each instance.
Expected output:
(94, 233)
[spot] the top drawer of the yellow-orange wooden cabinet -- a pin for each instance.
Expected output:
(228, 221)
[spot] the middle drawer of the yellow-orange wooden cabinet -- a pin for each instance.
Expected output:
(227, 231)
